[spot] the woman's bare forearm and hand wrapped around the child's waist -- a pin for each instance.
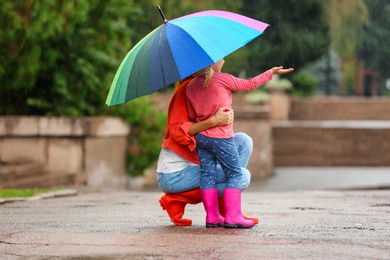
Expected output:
(223, 116)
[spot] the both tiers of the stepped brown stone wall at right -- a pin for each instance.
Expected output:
(334, 131)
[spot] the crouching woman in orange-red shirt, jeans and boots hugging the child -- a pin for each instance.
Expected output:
(178, 165)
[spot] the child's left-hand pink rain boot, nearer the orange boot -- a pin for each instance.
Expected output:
(210, 203)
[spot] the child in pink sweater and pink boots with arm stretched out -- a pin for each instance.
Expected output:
(206, 93)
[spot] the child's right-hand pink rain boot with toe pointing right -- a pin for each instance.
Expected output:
(233, 217)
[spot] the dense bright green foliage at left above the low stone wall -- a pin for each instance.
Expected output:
(59, 56)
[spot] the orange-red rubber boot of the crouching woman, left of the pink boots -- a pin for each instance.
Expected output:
(174, 204)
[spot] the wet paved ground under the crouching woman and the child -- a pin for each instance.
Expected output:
(296, 221)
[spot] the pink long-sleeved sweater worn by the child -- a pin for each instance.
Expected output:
(204, 103)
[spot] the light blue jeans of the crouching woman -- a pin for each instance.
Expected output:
(189, 177)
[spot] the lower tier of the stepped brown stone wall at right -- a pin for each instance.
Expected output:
(331, 143)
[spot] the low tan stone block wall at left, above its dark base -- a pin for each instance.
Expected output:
(93, 148)
